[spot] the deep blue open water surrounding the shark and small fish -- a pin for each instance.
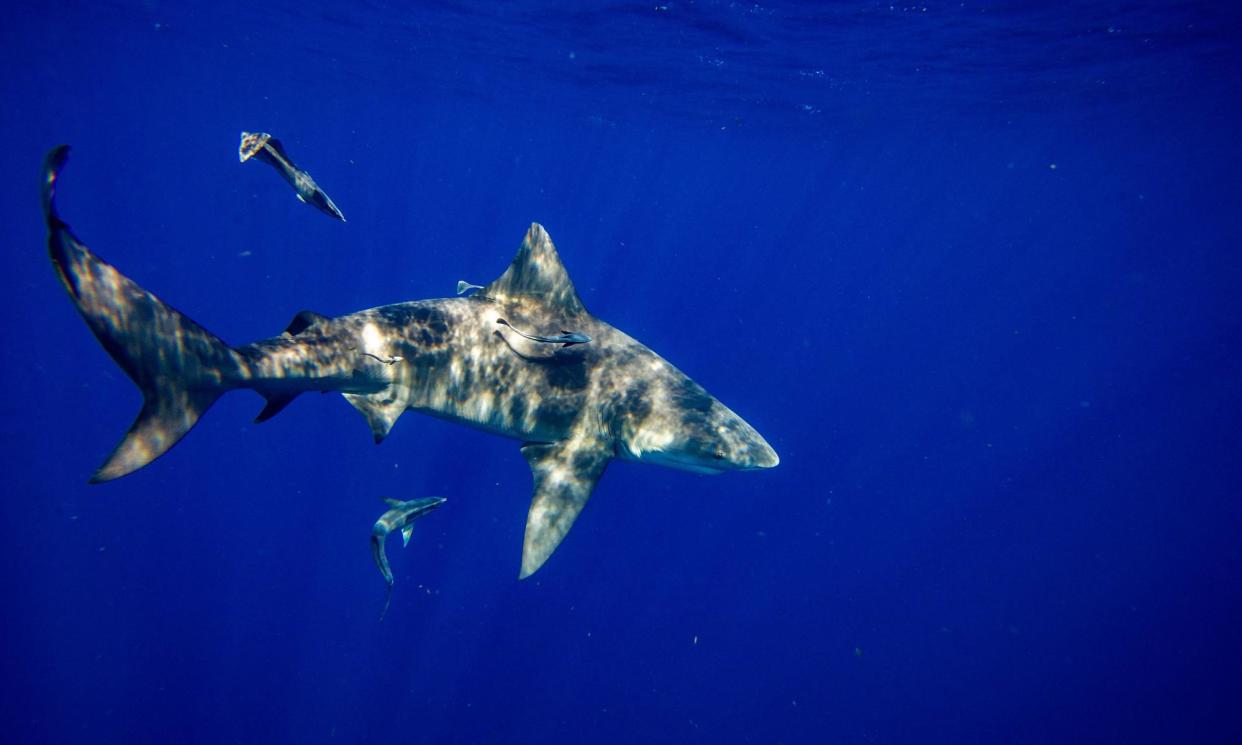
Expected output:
(972, 269)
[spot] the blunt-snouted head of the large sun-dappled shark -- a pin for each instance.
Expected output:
(682, 427)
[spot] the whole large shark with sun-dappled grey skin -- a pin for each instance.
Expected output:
(574, 409)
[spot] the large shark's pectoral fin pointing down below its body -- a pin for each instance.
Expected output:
(566, 474)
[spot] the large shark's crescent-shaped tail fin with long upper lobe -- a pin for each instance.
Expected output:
(181, 368)
